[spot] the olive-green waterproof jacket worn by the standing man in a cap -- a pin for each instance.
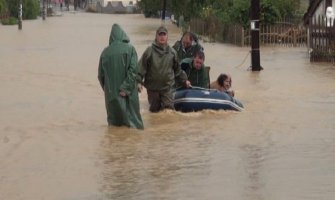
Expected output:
(159, 67)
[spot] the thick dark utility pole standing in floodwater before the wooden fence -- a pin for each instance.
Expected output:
(254, 26)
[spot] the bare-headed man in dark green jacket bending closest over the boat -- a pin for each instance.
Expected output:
(195, 70)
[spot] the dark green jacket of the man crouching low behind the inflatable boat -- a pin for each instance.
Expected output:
(197, 77)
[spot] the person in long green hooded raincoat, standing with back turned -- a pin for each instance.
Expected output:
(117, 76)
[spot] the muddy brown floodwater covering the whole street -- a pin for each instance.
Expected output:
(55, 143)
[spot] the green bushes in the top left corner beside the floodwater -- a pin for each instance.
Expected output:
(31, 8)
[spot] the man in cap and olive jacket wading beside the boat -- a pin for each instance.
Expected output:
(158, 69)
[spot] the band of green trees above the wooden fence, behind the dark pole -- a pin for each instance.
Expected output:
(226, 11)
